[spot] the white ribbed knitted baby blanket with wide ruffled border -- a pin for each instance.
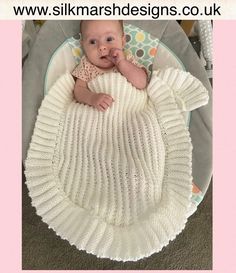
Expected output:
(117, 183)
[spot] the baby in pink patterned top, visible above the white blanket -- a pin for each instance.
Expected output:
(103, 43)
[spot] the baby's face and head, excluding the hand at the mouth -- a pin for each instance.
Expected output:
(98, 38)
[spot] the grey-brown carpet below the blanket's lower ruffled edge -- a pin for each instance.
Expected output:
(42, 249)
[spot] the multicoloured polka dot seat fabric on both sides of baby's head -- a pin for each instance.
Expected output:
(139, 43)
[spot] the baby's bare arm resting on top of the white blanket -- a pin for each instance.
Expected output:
(82, 94)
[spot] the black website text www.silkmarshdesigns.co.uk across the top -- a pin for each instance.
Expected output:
(149, 10)
